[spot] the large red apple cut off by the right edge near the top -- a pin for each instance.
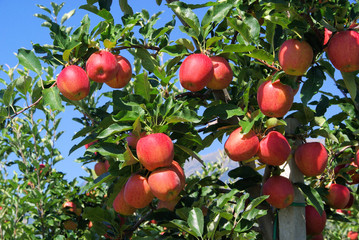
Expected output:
(343, 50)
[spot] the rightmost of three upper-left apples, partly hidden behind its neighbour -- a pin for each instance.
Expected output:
(123, 75)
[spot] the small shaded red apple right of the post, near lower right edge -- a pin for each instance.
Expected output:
(338, 196)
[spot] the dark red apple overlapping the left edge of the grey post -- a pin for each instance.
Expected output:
(280, 191)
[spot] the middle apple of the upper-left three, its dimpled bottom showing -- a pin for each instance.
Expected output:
(102, 66)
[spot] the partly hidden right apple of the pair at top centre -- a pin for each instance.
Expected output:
(222, 74)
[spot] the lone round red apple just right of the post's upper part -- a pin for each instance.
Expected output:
(311, 158)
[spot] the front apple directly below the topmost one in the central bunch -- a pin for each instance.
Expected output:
(165, 184)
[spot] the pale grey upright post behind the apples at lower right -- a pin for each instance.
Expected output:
(292, 218)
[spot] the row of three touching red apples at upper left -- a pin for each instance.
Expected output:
(102, 67)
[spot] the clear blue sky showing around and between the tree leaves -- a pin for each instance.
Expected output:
(19, 28)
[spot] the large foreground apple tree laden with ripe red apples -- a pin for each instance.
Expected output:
(250, 75)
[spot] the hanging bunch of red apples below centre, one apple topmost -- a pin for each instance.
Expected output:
(164, 178)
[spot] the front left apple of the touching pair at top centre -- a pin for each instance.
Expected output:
(195, 72)
